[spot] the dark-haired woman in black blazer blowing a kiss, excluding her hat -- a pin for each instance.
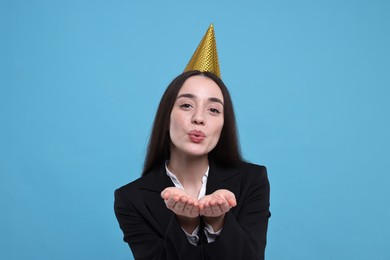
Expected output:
(197, 198)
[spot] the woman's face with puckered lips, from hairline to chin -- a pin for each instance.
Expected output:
(197, 117)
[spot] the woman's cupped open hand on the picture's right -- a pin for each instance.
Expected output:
(217, 203)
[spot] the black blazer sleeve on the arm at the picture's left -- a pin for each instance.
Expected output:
(145, 242)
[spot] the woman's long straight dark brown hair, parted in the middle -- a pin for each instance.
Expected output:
(226, 152)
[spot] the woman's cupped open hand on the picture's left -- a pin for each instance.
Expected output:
(180, 202)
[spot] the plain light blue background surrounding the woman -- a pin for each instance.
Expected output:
(79, 86)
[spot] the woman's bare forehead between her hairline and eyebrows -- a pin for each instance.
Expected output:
(201, 86)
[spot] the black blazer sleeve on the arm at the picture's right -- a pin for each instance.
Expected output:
(244, 232)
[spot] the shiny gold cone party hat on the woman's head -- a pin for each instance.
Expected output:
(205, 57)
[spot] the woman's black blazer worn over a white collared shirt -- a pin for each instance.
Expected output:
(152, 231)
